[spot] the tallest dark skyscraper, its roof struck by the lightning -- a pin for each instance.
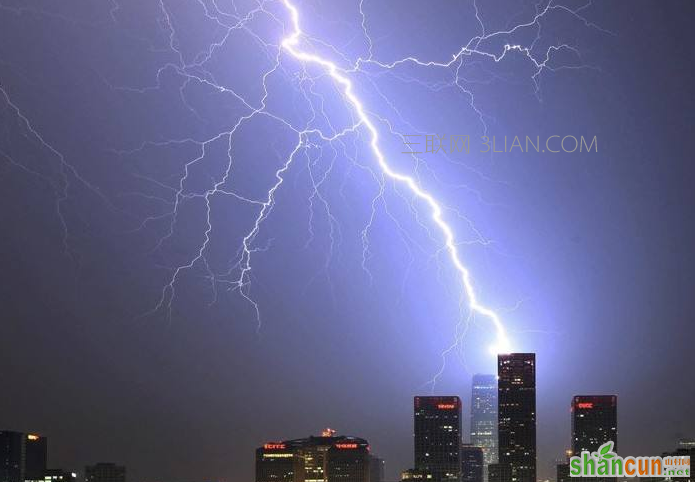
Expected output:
(517, 415)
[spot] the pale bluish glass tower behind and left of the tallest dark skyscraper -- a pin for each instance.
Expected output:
(484, 416)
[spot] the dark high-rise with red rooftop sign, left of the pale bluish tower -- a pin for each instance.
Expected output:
(438, 437)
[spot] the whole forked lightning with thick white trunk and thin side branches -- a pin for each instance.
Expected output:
(297, 44)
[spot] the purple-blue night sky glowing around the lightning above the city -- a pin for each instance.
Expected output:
(588, 257)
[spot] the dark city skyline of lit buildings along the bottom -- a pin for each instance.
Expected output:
(440, 451)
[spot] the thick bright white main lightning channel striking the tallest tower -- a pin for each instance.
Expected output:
(290, 43)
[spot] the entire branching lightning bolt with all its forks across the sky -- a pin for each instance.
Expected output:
(435, 219)
